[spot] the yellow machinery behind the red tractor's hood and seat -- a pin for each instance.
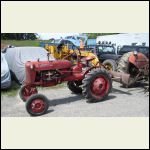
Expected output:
(65, 53)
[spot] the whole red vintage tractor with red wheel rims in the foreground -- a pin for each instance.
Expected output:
(94, 83)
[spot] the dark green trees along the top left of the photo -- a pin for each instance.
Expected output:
(18, 36)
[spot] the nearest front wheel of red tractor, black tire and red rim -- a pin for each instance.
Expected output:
(37, 105)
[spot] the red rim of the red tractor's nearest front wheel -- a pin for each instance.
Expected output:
(37, 106)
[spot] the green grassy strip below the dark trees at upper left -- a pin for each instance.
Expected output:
(22, 42)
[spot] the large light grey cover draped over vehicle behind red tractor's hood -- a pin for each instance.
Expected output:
(18, 56)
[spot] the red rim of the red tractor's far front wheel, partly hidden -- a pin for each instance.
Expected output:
(28, 91)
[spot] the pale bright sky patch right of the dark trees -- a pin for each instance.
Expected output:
(46, 36)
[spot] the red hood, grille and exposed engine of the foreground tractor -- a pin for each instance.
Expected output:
(44, 72)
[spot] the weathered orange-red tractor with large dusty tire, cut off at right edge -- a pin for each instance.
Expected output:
(132, 67)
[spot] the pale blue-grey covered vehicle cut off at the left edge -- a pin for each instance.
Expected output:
(5, 73)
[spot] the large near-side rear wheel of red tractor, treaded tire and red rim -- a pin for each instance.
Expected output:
(97, 84)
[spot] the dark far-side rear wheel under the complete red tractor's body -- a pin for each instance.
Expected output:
(74, 86)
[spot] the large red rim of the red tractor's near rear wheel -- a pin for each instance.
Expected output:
(100, 87)
